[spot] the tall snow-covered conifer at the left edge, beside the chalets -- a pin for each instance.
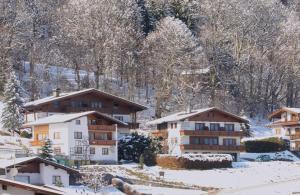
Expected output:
(12, 116)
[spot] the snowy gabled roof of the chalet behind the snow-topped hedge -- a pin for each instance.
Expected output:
(184, 115)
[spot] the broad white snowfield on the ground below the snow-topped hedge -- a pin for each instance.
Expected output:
(244, 174)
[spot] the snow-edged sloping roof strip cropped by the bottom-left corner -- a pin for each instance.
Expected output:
(29, 187)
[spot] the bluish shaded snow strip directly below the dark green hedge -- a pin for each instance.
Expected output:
(285, 154)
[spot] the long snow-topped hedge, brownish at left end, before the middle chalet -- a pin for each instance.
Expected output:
(195, 161)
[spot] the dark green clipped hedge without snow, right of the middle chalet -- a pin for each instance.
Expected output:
(265, 145)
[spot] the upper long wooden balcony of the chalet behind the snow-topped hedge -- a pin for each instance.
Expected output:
(211, 133)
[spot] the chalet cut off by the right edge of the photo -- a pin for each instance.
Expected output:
(286, 124)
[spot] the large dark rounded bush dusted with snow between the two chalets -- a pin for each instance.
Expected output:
(133, 146)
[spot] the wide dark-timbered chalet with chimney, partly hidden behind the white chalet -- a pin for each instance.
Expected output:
(81, 101)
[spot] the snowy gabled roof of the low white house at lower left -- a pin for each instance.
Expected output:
(27, 160)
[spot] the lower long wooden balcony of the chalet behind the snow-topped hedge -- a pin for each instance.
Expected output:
(211, 147)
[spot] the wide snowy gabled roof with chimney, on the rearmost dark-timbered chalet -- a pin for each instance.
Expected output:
(62, 96)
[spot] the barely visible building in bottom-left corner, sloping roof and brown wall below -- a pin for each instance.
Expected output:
(11, 187)
